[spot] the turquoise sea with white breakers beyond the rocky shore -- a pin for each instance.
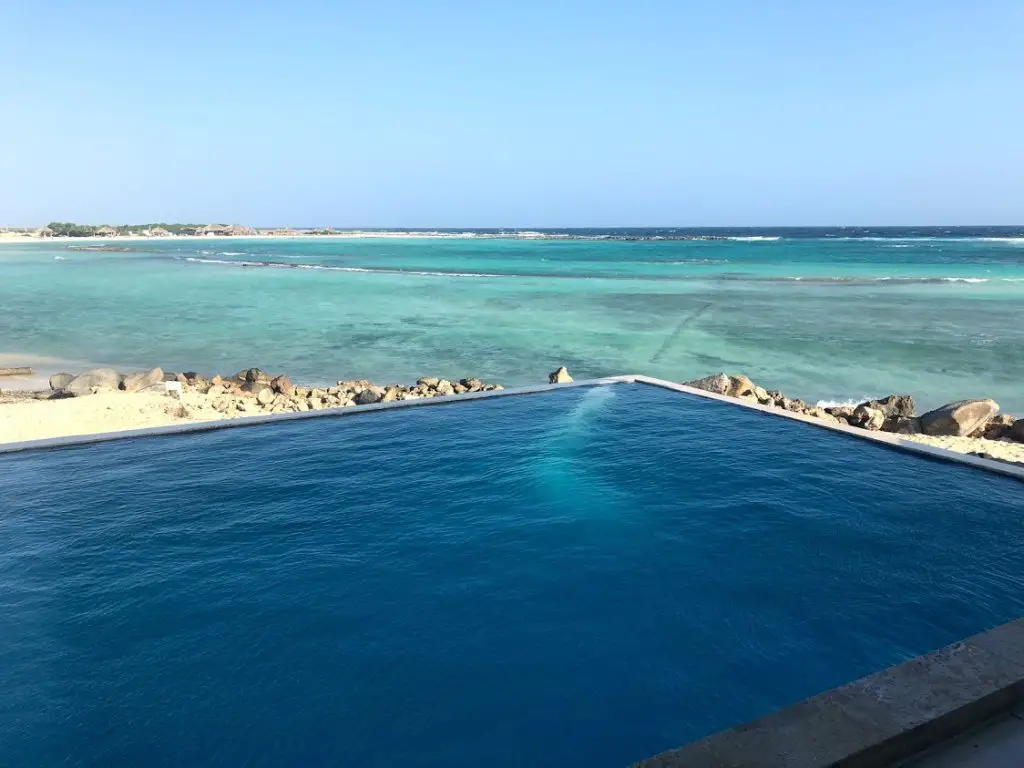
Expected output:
(824, 315)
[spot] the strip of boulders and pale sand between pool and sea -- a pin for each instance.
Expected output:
(967, 426)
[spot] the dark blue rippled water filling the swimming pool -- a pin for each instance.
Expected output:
(582, 578)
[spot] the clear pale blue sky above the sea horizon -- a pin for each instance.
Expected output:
(514, 114)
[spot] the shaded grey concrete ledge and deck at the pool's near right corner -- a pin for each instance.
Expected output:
(908, 715)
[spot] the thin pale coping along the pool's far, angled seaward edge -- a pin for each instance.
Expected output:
(885, 439)
